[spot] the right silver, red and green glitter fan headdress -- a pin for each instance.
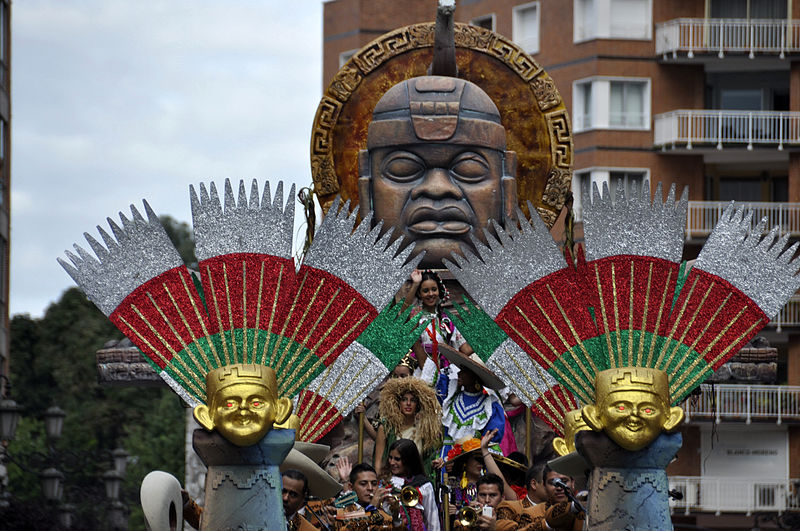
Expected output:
(629, 301)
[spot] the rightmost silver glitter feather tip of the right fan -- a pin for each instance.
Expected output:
(760, 266)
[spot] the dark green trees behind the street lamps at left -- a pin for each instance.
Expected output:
(54, 362)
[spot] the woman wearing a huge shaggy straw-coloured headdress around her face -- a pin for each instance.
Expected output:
(409, 410)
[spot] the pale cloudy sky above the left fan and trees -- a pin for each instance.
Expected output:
(115, 101)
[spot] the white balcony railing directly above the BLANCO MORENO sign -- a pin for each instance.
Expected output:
(744, 403)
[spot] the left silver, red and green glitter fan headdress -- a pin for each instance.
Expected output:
(320, 327)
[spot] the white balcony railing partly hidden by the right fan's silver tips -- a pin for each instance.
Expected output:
(704, 215)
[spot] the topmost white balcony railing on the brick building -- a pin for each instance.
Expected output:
(721, 36)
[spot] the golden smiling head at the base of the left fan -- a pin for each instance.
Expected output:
(243, 403)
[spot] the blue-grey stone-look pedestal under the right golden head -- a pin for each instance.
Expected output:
(627, 490)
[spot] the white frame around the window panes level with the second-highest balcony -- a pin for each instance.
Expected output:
(601, 103)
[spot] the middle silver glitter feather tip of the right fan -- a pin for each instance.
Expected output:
(634, 226)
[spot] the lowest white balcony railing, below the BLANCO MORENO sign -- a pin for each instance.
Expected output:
(718, 495)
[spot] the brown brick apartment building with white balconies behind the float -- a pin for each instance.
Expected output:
(704, 93)
